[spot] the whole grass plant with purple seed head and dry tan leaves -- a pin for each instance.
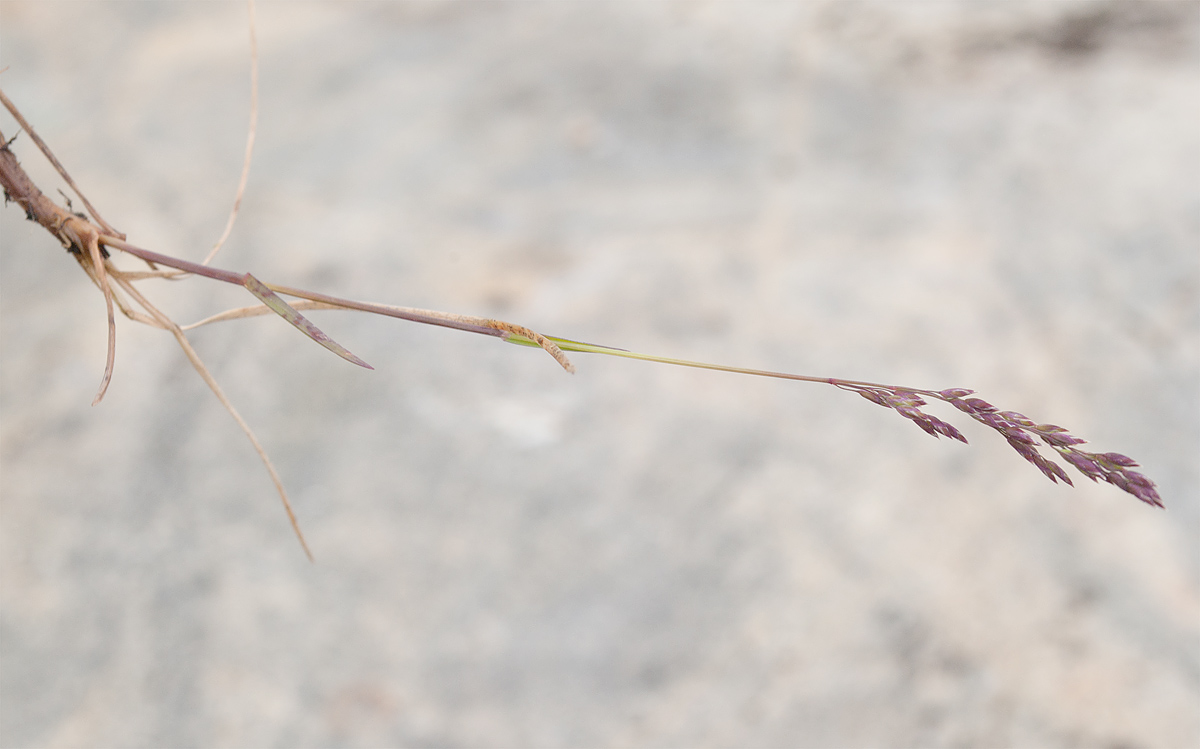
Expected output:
(91, 239)
